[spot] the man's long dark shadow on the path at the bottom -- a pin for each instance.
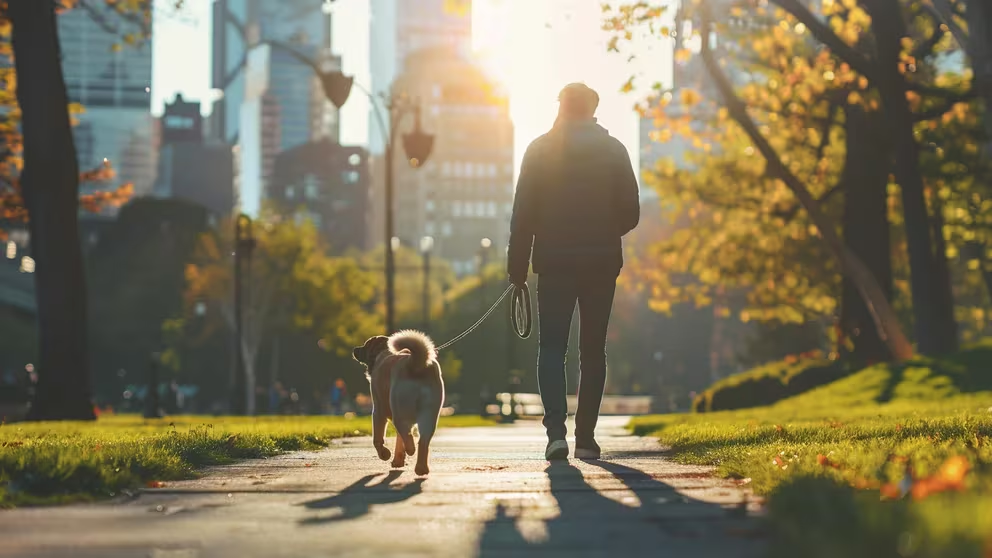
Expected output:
(587, 516)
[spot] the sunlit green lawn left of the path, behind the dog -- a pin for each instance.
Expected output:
(44, 463)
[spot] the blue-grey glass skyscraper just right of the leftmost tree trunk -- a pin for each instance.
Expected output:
(113, 85)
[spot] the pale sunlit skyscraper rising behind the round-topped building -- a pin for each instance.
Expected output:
(402, 27)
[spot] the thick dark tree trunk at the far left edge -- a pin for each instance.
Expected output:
(50, 184)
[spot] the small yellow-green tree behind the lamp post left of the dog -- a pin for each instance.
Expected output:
(292, 285)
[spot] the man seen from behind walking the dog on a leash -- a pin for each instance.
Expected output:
(576, 198)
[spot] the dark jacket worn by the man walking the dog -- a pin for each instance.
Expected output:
(576, 197)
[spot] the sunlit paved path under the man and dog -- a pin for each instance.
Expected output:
(490, 494)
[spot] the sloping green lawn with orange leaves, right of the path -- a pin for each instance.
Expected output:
(892, 461)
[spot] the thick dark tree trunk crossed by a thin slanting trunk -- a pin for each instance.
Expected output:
(866, 229)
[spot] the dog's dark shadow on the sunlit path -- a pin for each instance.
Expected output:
(357, 499)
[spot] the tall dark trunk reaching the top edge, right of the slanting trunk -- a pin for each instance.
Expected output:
(930, 319)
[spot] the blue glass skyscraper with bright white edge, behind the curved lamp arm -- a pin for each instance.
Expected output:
(271, 101)
